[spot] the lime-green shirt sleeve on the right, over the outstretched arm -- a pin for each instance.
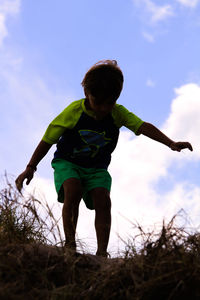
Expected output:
(123, 117)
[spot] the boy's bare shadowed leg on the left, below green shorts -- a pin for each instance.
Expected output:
(72, 197)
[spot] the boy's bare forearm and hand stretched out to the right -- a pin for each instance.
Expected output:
(154, 133)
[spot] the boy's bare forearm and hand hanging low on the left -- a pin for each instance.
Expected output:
(37, 156)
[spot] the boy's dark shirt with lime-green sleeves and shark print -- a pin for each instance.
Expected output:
(85, 141)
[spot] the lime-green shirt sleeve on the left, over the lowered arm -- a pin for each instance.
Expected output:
(67, 119)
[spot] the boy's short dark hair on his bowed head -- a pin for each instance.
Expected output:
(104, 79)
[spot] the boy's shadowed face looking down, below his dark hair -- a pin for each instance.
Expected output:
(101, 107)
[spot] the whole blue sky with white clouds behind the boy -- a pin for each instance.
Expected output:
(45, 49)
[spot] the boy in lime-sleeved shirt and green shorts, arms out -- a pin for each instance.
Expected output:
(86, 134)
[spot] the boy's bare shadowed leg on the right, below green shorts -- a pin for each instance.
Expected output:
(102, 206)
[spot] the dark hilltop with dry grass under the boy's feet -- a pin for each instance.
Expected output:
(165, 266)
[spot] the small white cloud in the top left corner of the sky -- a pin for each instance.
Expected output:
(7, 8)
